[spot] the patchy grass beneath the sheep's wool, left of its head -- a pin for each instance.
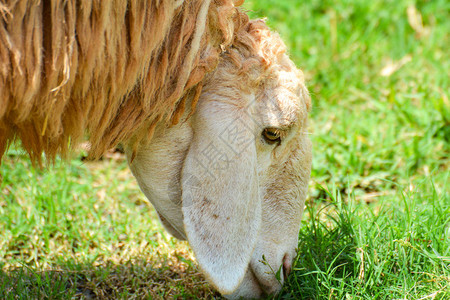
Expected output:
(84, 229)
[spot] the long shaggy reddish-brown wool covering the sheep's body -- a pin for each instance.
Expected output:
(108, 70)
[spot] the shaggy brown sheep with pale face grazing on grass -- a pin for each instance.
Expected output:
(211, 112)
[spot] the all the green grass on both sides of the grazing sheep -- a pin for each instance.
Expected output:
(378, 214)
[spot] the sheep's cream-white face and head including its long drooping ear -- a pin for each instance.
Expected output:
(232, 179)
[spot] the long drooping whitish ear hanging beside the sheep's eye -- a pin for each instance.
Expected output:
(221, 205)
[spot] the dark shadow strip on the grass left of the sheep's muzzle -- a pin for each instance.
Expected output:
(137, 279)
